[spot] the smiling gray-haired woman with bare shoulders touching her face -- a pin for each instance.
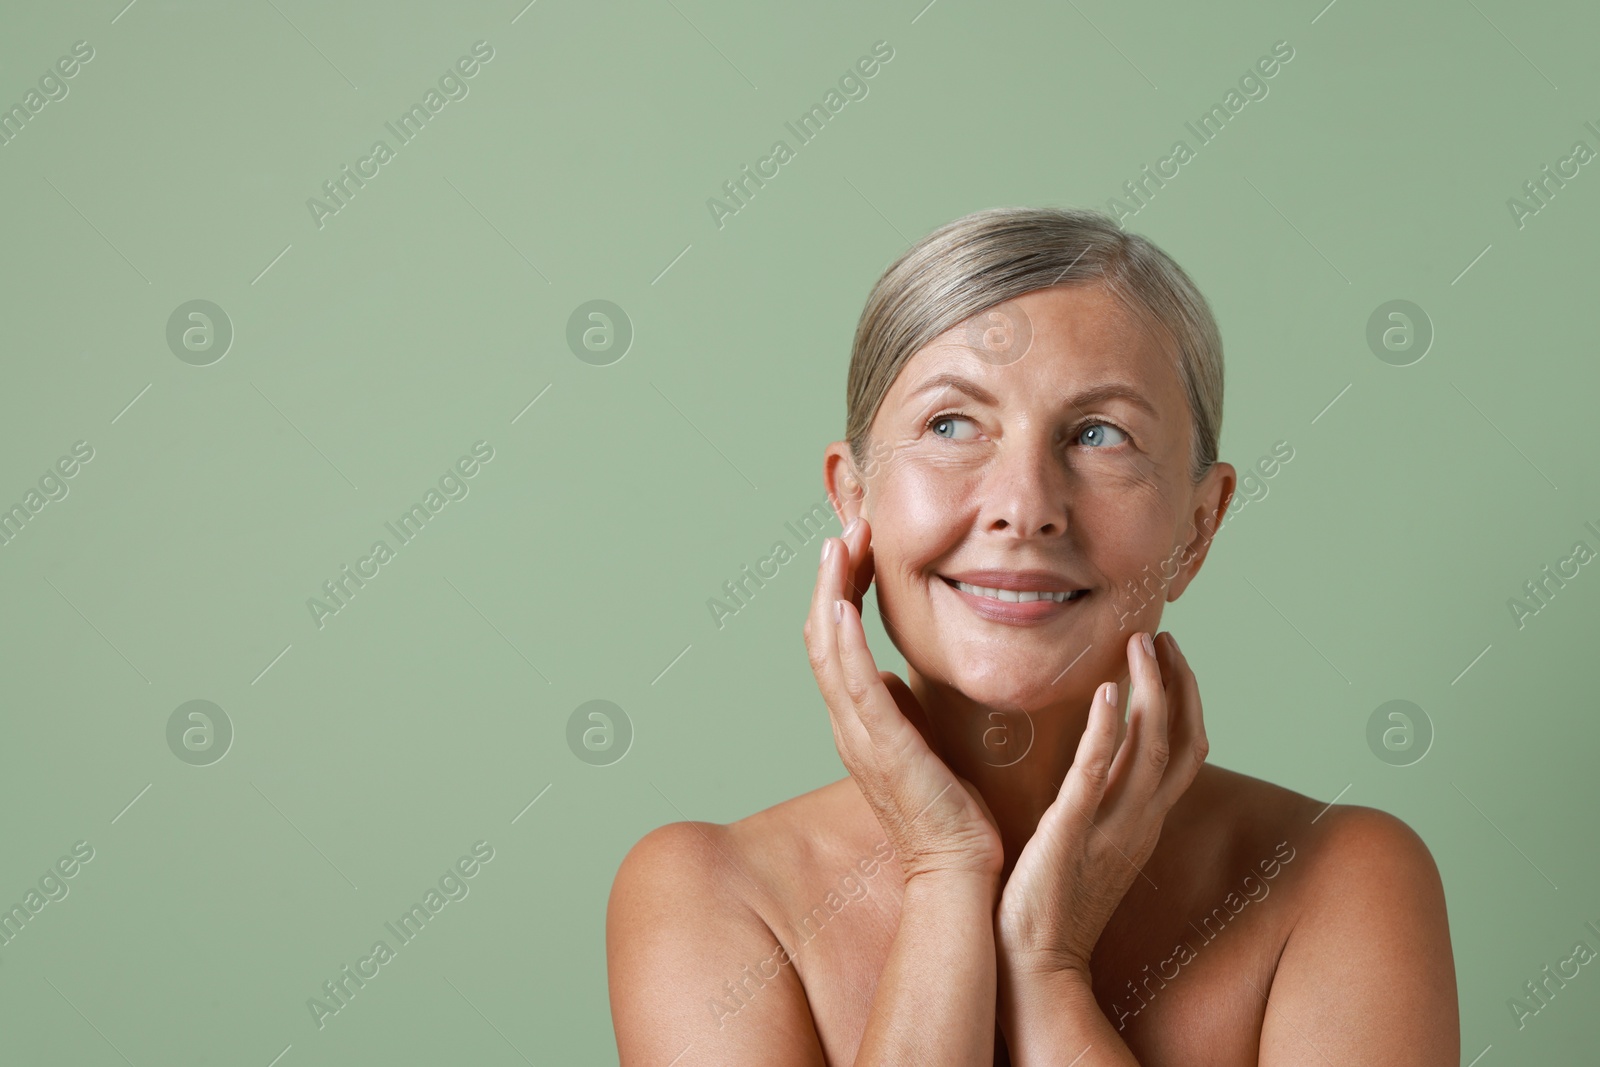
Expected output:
(1012, 873)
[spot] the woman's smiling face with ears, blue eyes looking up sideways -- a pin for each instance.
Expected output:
(1042, 446)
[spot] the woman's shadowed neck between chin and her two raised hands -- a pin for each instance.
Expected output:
(1017, 759)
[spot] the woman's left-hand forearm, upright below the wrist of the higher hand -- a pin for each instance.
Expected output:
(935, 1002)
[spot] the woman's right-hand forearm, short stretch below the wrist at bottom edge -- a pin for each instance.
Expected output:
(1055, 1020)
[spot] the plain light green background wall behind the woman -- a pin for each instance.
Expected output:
(433, 310)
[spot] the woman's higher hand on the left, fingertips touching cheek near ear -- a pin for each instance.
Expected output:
(935, 821)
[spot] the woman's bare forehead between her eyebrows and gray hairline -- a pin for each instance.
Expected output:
(1071, 338)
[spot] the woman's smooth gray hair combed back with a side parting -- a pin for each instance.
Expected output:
(991, 257)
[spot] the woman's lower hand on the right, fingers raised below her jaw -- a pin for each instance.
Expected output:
(1103, 826)
